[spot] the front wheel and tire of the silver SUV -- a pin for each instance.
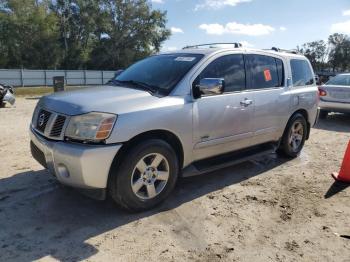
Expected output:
(146, 164)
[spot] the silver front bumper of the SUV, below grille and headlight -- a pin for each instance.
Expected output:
(78, 165)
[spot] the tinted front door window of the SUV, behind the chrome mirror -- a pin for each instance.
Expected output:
(230, 68)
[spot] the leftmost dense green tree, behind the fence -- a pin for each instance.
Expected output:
(28, 35)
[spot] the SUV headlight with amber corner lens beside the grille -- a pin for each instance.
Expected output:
(91, 126)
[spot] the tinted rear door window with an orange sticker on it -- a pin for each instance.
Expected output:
(265, 71)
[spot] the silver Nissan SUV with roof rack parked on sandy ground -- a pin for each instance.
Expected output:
(175, 114)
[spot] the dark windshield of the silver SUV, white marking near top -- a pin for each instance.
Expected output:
(160, 73)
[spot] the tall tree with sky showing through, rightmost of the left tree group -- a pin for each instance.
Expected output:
(128, 31)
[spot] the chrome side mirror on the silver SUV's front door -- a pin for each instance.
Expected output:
(208, 87)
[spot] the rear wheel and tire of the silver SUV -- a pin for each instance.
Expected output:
(291, 147)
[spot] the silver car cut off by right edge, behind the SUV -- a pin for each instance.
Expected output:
(335, 95)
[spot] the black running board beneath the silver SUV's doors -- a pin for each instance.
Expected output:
(218, 162)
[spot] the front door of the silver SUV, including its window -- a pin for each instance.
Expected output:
(223, 122)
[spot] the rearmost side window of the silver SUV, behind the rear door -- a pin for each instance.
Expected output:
(301, 73)
